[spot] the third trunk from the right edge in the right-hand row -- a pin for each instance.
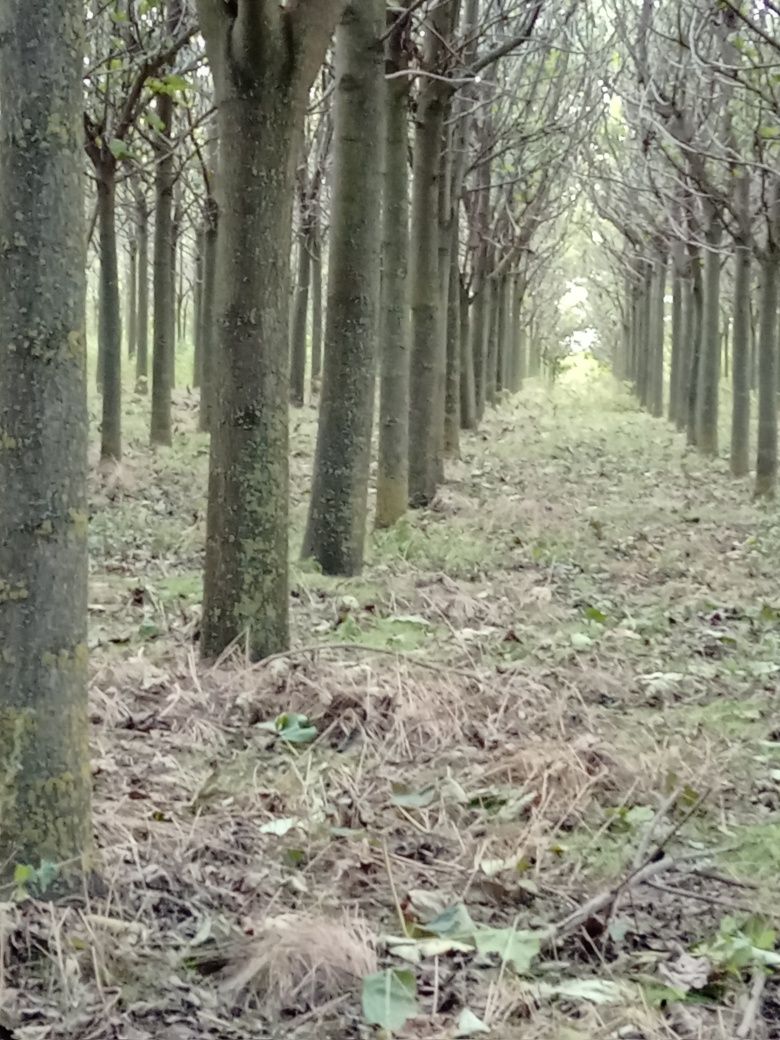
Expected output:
(710, 370)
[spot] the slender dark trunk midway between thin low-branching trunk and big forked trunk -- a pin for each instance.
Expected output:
(165, 280)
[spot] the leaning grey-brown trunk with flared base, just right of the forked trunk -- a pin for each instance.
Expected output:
(337, 514)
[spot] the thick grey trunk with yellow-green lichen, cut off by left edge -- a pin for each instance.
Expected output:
(44, 727)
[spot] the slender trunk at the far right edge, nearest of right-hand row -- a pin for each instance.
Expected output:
(768, 349)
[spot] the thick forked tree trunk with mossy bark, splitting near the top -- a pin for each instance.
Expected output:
(264, 60)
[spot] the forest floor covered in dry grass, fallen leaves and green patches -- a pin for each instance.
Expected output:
(557, 686)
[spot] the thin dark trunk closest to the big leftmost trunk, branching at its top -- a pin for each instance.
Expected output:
(111, 321)
